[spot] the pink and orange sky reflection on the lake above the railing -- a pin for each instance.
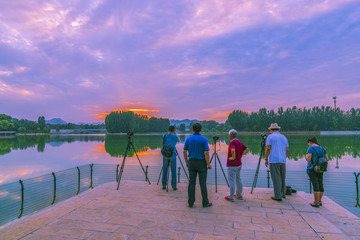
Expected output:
(22, 164)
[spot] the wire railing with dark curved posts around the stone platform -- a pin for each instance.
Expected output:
(27, 196)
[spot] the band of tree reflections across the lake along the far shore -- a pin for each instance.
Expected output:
(115, 145)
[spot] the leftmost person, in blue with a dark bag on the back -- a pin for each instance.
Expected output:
(169, 157)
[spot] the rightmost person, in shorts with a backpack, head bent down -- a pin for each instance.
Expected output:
(317, 164)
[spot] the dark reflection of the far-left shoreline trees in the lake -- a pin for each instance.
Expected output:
(39, 141)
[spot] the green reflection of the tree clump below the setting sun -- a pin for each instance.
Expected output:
(115, 145)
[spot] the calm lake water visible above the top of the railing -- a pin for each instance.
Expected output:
(23, 157)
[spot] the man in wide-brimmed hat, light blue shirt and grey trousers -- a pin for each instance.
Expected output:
(277, 147)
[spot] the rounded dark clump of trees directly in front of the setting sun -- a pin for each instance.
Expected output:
(121, 122)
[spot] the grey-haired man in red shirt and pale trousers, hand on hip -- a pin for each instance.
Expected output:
(236, 150)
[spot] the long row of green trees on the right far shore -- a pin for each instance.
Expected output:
(297, 119)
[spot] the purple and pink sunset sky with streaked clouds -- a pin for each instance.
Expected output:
(79, 60)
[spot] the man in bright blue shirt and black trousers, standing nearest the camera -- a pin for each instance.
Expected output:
(198, 163)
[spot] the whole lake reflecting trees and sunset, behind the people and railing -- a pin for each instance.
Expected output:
(24, 157)
